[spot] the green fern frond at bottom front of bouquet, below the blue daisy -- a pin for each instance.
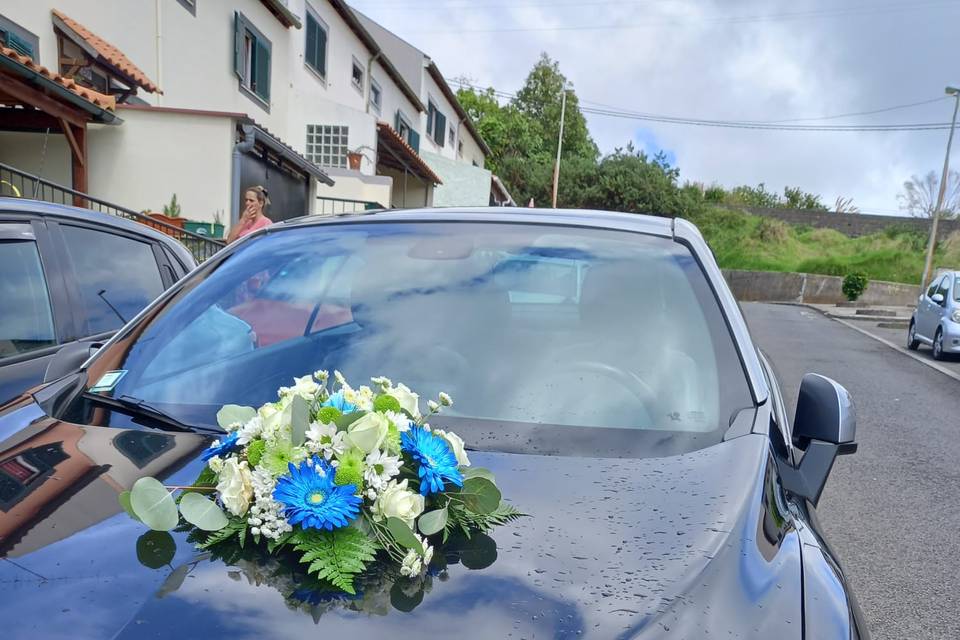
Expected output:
(336, 556)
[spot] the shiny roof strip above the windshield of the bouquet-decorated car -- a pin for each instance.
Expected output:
(653, 225)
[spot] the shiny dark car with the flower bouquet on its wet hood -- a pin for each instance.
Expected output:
(600, 367)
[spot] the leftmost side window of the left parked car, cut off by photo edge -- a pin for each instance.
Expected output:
(26, 318)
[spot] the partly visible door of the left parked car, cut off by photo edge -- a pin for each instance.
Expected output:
(31, 289)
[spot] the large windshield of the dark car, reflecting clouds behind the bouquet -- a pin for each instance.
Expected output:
(522, 324)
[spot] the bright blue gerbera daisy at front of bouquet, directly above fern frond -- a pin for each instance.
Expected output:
(312, 500)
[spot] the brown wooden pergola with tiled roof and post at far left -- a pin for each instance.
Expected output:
(35, 99)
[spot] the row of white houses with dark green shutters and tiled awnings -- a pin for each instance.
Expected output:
(136, 101)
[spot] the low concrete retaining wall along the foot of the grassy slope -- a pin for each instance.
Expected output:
(769, 286)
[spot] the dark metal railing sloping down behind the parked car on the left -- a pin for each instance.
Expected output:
(14, 182)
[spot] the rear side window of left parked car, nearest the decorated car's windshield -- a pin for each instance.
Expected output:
(117, 276)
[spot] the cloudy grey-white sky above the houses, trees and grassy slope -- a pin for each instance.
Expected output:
(756, 60)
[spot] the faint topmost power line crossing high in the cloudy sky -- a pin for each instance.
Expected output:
(865, 10)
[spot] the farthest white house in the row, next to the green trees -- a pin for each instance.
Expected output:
(450, 143)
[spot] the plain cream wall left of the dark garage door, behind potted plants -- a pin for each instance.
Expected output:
(152, 155)
